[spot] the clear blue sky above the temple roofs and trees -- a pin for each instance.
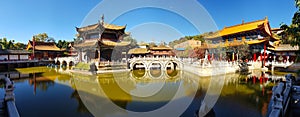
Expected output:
(21, 19)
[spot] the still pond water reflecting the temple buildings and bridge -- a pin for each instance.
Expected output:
(46, 92)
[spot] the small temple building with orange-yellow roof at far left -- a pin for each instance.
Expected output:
(43, 50)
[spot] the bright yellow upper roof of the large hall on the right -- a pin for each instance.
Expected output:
(241, 28)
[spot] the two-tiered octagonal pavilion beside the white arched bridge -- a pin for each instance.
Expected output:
(101, 42)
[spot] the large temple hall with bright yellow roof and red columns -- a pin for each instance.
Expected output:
(256, 34)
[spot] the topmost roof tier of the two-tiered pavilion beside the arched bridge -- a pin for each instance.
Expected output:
(105, 25)
